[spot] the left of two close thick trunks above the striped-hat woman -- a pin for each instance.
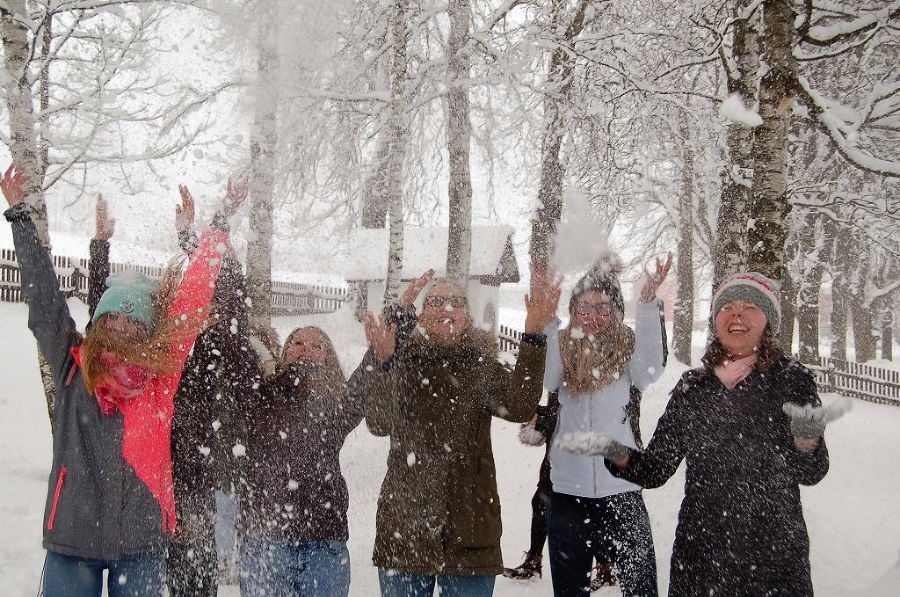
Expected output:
(731, 253)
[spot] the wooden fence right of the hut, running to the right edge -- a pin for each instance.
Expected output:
(856, 380)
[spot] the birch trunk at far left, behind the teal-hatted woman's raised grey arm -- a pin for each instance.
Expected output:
(23, 145)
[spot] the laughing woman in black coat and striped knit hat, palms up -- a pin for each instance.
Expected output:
(749, 425)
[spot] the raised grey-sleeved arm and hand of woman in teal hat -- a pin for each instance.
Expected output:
(48, 315)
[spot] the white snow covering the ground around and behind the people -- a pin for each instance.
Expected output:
(853, 517)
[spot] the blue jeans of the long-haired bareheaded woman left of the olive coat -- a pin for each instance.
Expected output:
(273, 567)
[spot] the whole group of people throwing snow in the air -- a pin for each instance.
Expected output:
(171, 377)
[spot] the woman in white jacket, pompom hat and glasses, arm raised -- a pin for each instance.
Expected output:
(593, 363)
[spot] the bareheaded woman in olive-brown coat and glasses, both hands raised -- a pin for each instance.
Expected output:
(434, 395)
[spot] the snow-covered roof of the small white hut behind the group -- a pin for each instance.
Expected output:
(425, 248)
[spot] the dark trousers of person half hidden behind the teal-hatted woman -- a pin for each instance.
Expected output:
(193, 566)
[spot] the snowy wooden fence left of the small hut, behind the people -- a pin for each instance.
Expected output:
(288, 298)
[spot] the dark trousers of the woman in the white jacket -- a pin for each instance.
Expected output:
(618, 525)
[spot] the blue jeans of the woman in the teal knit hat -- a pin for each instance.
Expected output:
(135, 576)
